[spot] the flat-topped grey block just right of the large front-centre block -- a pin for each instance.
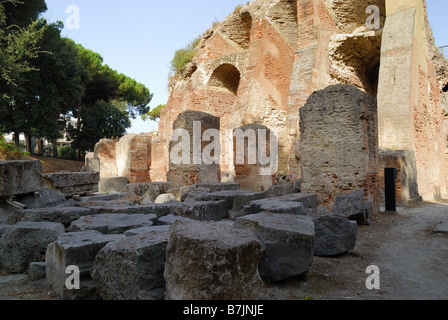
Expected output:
(288, 242)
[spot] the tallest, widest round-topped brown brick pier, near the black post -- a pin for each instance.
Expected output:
(339, 144)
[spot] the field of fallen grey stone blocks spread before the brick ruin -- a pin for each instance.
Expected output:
(210, 241)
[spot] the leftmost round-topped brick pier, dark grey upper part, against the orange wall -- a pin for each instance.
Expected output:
(188, 136)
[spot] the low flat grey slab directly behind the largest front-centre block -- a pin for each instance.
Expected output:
(201, 210)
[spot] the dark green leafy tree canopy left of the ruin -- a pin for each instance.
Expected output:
(47, 79)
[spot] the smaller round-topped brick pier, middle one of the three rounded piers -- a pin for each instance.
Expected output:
(247, 164)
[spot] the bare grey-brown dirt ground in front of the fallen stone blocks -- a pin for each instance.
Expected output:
(411, 257)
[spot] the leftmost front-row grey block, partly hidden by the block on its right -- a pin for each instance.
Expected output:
(75, 249)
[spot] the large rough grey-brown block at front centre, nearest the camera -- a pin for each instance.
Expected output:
(212, 261)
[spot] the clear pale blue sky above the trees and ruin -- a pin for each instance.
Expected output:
(139, 37)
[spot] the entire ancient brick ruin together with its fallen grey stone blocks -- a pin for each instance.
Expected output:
(270, 152)
